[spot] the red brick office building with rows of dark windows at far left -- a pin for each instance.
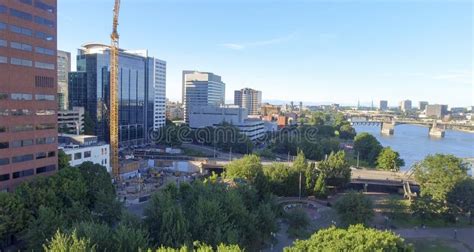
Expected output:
(28, 87)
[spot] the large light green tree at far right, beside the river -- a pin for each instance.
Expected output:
(439, 174)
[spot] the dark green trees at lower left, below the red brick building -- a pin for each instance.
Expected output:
(36, 209)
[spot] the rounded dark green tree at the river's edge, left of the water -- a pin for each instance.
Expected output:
(368, 147)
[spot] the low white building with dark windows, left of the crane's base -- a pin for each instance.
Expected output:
(82, 148)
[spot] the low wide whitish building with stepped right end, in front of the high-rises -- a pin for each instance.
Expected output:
(206, 116)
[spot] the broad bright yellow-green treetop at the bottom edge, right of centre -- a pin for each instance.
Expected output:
(355, 238)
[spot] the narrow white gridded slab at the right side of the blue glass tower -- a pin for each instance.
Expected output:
(159, 119)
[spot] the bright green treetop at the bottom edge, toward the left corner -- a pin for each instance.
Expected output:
(62, 242)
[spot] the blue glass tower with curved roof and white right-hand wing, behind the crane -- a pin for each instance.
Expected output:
(141, 89)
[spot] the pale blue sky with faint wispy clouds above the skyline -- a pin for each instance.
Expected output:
(301, 50)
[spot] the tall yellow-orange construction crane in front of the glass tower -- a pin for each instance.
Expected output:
(113, 112)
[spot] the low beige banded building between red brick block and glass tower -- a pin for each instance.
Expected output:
(71, 121)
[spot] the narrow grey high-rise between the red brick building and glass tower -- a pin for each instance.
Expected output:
(64, 67)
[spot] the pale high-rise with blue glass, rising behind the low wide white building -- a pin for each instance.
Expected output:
(201, 89)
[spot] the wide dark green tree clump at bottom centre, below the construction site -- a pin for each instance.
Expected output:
(213, 213)
